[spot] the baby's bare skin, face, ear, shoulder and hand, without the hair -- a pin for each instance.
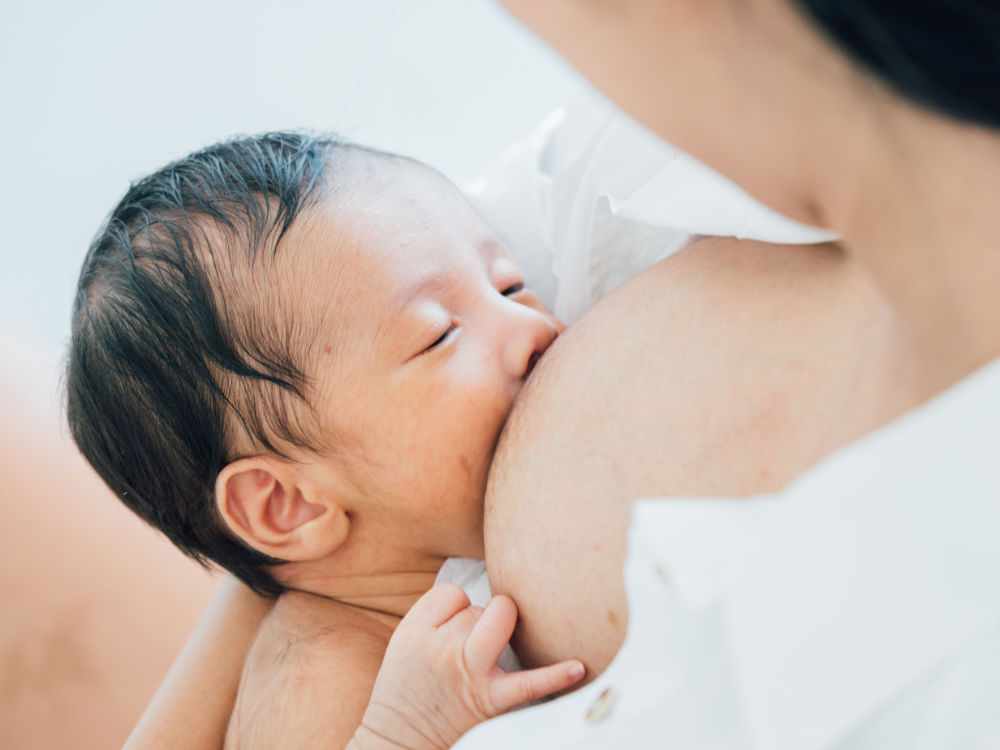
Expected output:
(426, 333)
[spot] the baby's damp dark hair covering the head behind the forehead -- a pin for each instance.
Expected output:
(171, 359)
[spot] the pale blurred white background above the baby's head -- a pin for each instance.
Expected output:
(95, 94)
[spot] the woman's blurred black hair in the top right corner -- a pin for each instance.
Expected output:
(944, 54)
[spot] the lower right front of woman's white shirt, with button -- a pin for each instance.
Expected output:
(857, 609)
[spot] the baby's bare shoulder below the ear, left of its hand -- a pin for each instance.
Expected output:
(308, 676)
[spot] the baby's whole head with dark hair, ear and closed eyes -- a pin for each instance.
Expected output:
(289, 348)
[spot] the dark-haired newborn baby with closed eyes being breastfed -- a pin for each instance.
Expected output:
(294, 357)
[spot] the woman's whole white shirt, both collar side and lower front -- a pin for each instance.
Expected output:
(859, 608)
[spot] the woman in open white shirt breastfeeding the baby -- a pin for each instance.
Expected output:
(880, 125)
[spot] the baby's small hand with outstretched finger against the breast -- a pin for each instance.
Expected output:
(440, 676)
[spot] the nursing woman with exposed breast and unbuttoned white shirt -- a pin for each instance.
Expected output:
(747, 382)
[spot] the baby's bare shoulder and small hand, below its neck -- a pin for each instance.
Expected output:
(437, 677)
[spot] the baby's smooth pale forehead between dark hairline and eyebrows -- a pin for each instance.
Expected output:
(353, 256)
